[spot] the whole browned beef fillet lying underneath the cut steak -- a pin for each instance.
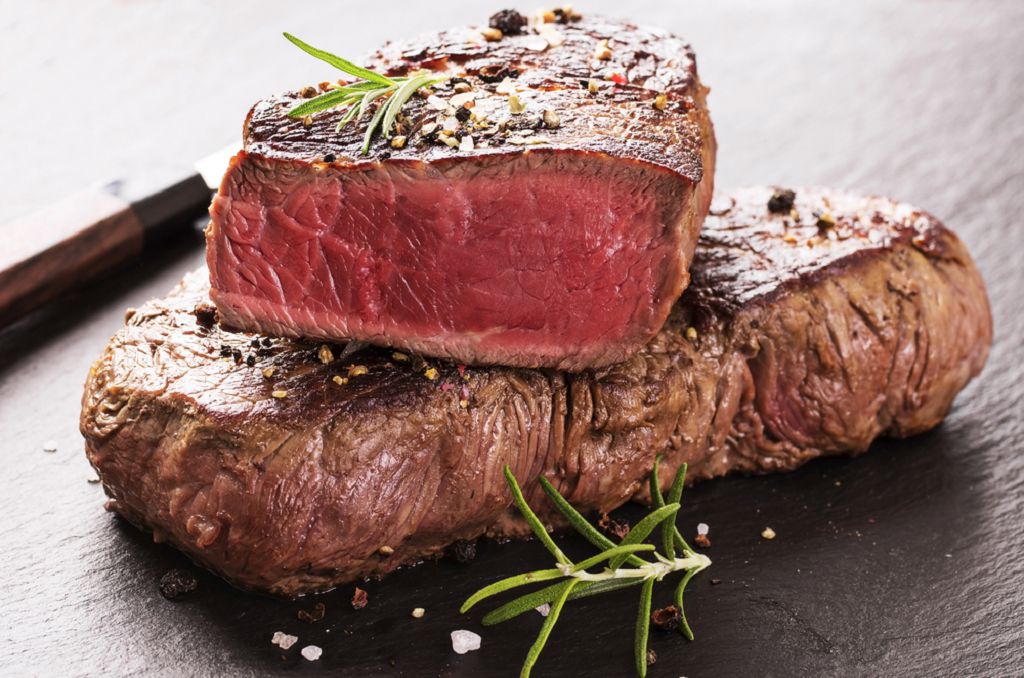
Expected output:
(803, 334)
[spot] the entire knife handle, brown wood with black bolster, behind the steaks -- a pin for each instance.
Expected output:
(78, 238)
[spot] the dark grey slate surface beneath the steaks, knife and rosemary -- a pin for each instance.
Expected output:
(906, 562)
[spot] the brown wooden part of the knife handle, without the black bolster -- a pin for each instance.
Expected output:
(61, 246)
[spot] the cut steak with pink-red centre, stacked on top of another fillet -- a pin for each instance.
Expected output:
(559, 236)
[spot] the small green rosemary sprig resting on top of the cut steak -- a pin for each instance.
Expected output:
(359, 97)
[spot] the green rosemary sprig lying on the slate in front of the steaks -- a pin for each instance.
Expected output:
(577, 582)
